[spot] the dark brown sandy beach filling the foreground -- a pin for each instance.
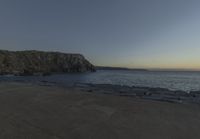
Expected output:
(30, 111)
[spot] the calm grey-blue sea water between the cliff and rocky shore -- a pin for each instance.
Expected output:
(186, 81)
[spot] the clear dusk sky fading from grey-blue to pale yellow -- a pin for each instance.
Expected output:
(125, 33)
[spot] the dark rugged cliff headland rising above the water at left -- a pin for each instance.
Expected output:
(33, 62)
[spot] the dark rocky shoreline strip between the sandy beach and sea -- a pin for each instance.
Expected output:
(157, 94)
